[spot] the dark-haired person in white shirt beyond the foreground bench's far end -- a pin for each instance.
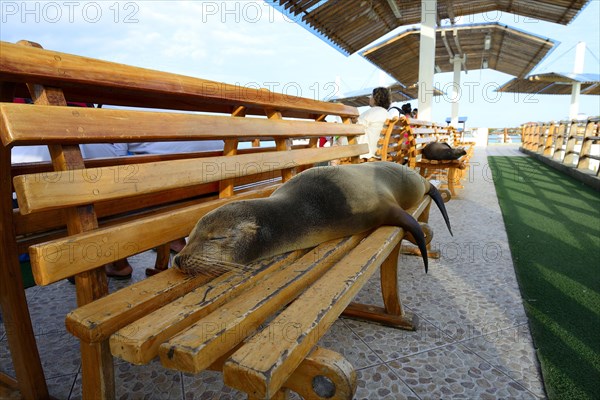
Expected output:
(373, 120)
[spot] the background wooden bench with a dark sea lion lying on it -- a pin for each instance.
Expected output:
(403, 140)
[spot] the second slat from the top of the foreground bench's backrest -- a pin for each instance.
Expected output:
(26, 125)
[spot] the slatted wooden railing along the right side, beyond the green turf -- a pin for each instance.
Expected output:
(571, 146)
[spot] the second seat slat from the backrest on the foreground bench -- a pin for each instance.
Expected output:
(139, 341)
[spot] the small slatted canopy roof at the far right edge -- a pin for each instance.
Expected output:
(553, 83)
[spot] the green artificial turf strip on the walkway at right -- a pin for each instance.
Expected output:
(553, 226)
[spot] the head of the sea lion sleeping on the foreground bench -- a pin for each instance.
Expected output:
(226, 237)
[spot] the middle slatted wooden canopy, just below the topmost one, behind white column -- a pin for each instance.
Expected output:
(494, 46)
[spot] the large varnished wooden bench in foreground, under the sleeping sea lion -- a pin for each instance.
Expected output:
(260, 327)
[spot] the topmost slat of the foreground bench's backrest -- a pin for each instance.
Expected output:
(87, 79)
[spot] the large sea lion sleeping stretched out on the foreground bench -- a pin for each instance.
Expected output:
(315, 206)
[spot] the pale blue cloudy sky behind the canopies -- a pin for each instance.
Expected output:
(249, 43)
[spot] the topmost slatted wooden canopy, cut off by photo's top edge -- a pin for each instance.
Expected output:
(350, 25)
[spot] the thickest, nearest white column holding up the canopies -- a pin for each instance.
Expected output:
(427, 57)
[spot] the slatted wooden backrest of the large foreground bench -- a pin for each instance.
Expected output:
(114, 208)
